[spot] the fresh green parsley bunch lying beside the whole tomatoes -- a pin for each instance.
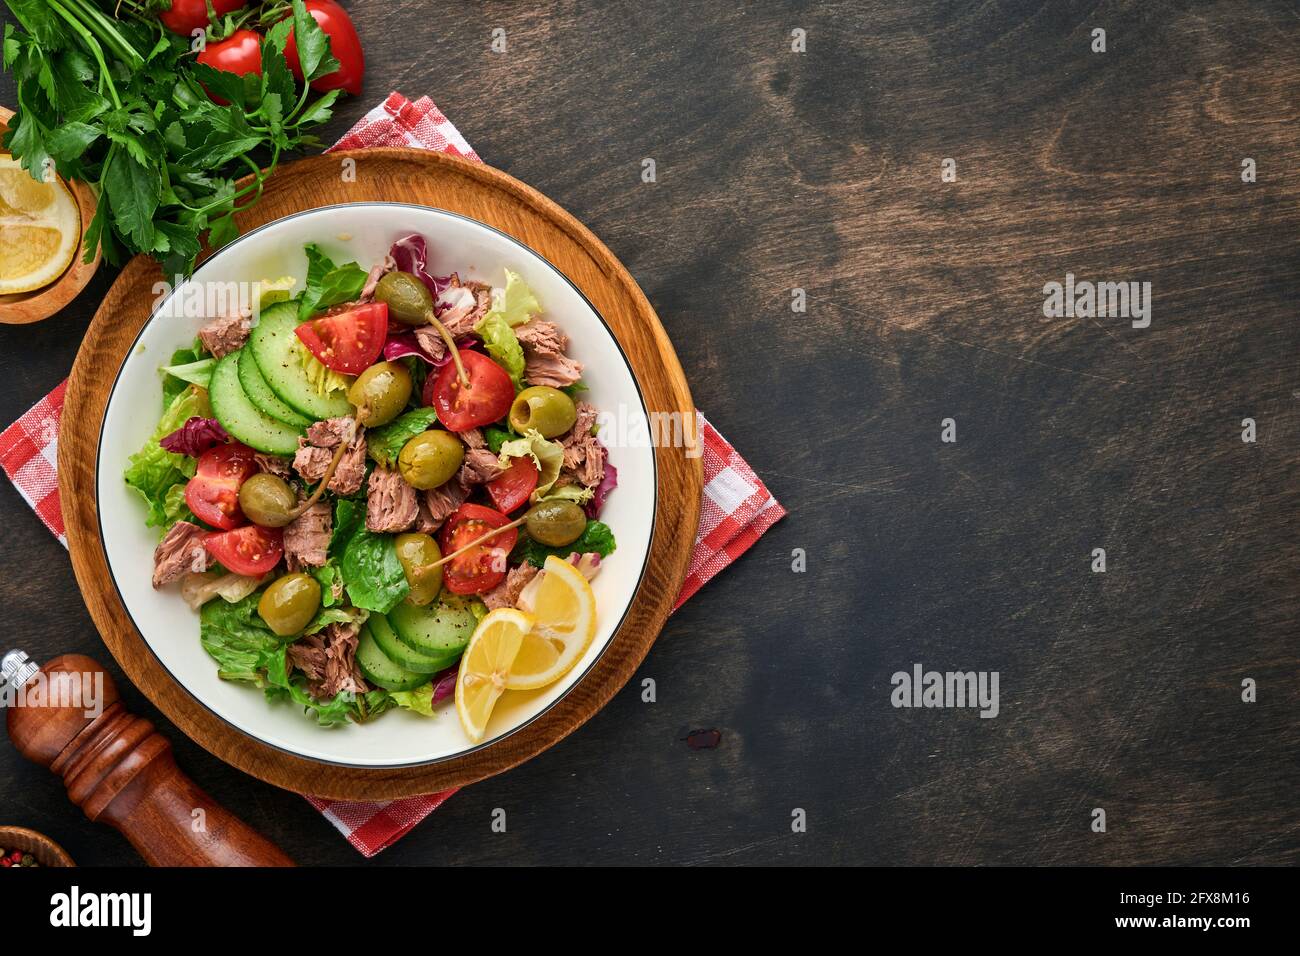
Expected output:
(123, 105)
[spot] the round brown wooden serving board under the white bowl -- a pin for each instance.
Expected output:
(488, 196)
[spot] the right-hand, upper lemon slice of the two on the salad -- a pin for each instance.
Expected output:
(565, 612)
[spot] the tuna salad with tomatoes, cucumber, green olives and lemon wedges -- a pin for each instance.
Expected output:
(350, 482)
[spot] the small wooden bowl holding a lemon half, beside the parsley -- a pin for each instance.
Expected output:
(41, 241)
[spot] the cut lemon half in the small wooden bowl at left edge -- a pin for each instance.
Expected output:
(40, 230)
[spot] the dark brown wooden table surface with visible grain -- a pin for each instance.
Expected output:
(925, 301)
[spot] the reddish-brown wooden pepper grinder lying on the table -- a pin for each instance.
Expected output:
(120, 771)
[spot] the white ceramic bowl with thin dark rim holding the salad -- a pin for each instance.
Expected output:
(362, 232)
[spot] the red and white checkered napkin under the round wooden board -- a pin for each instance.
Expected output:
(736, 509)
